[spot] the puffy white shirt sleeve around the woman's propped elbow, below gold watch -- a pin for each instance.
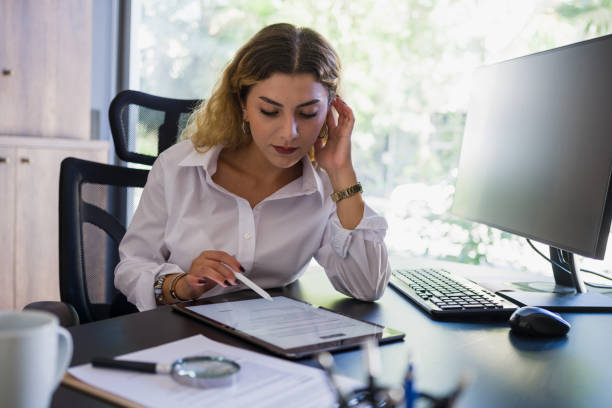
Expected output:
(356, 261)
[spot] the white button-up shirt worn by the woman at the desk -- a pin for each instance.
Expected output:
(183, 212)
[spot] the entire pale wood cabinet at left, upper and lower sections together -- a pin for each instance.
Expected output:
(45, 93)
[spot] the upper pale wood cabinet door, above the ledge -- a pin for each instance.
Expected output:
(45, 59)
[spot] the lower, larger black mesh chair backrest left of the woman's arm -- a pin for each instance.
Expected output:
(90, 231)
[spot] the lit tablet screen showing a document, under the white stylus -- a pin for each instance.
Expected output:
(285, 322)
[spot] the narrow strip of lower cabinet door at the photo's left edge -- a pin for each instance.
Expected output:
(7, 227)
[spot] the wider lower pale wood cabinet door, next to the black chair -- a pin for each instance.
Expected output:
(36, 233)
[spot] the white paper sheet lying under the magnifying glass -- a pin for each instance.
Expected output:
(263, 381)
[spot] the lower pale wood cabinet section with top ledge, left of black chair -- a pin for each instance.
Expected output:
(29, 182)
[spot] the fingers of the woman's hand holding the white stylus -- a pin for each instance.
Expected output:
(216, 266)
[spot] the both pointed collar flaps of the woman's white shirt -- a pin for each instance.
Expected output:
(311, 180)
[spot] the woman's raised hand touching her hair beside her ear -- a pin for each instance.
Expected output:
(335, 156)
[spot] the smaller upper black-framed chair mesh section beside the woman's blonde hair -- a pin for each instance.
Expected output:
(145, 125)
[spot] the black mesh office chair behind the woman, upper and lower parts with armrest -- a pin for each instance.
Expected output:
(93, 200)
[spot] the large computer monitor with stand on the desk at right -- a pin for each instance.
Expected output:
(536, 160)
